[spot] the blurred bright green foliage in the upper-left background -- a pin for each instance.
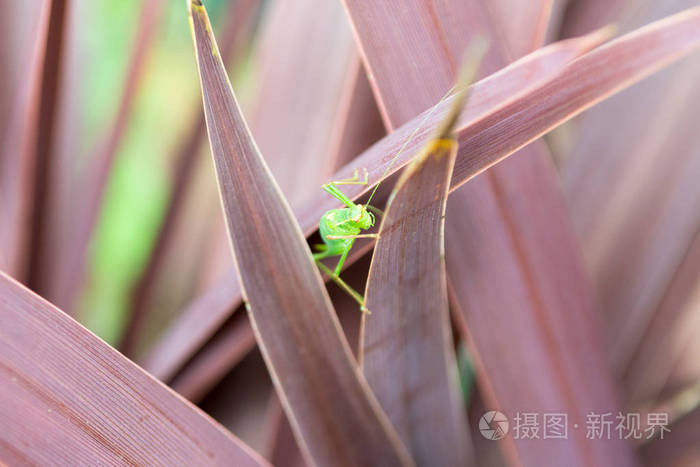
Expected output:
(137, 190)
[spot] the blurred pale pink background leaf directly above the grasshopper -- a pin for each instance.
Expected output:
(306, 58)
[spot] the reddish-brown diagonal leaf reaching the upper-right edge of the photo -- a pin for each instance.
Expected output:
(584, 82)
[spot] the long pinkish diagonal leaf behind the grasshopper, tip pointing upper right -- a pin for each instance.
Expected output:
(200, 319)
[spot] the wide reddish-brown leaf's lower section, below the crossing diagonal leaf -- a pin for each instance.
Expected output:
(520, 204)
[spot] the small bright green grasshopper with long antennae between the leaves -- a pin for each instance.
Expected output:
(339, 228)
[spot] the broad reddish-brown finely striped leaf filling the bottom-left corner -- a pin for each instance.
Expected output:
(71, 399)
